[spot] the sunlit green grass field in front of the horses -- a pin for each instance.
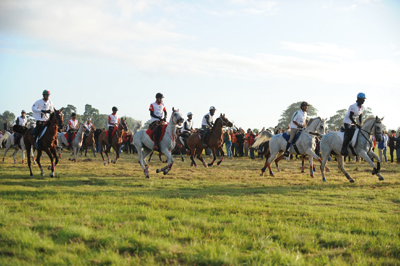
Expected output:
(225, 215)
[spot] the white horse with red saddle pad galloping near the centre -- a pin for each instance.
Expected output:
(142, 141)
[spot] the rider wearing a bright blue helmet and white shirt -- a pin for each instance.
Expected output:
(355, 110)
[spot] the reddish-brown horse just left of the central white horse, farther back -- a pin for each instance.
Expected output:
(116, 141)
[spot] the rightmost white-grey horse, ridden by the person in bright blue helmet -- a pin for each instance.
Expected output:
(332, 143)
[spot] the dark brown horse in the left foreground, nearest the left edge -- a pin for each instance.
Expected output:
(47, 143)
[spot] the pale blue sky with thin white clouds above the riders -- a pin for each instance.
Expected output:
(250, 59)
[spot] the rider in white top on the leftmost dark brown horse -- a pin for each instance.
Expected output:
(41, 112)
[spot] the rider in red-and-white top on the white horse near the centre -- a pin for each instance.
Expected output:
(158, 113)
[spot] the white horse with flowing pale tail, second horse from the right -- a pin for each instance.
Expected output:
(305, 143)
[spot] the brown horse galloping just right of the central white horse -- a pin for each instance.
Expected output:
(214, 141)
